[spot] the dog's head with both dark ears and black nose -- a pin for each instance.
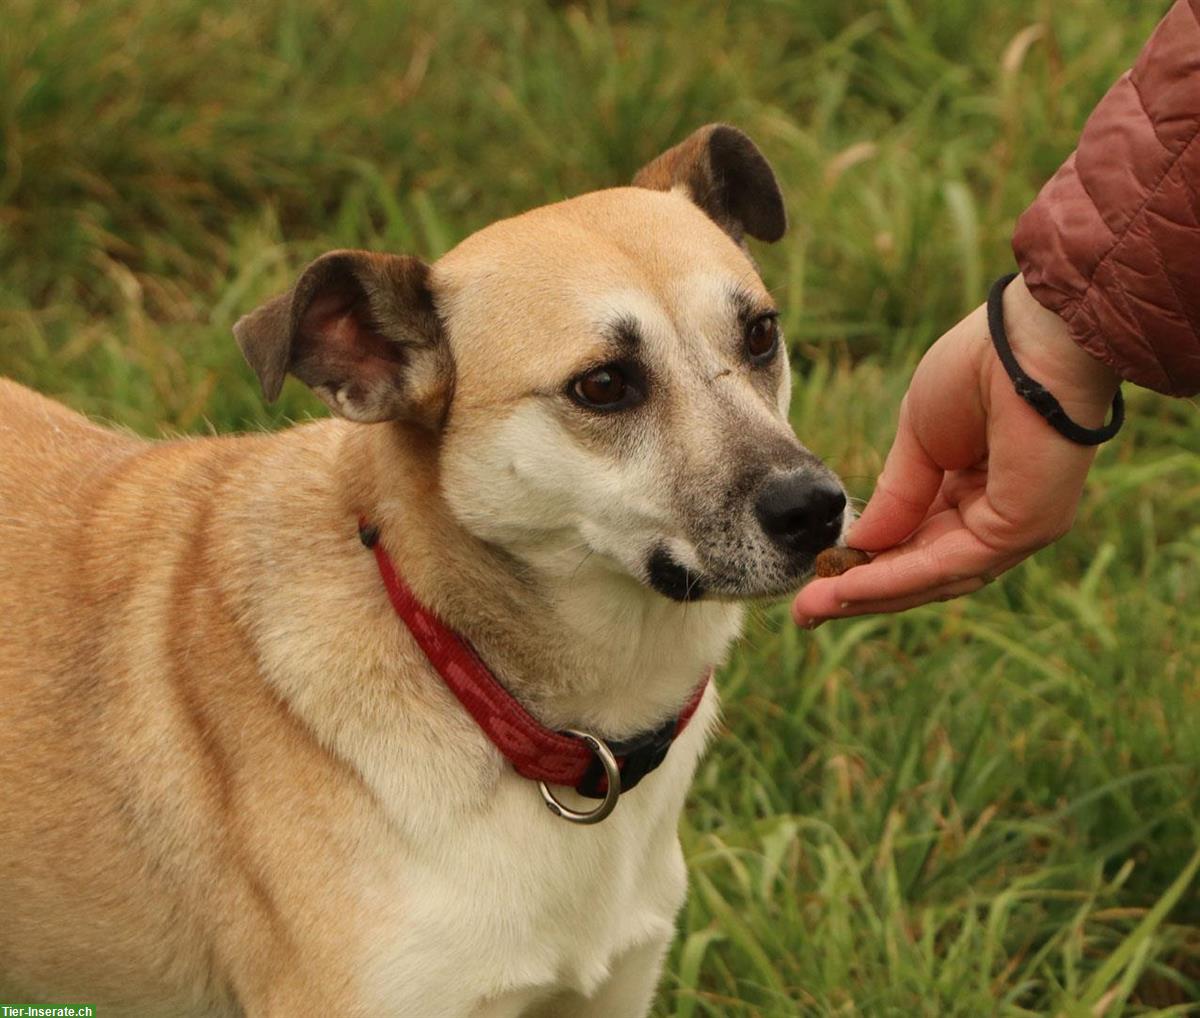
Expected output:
(607, 376)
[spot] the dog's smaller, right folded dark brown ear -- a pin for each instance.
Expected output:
(724, 173)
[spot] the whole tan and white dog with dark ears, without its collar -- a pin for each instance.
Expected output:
(231, 783)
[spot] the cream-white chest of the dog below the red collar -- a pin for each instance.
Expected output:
(518, 907)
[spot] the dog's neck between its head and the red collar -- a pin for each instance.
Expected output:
(579, 643)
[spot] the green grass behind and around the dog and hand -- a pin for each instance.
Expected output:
(981, 809)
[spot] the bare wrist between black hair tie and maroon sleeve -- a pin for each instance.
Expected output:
(1046, 350)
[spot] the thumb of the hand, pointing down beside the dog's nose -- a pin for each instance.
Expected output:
(903, 495)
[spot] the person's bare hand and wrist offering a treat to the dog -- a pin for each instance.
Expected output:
(976, 480)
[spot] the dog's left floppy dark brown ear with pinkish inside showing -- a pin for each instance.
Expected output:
(362, 331)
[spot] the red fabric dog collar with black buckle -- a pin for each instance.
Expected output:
(536, 752)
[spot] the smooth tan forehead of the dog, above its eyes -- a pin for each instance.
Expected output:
(529, 295)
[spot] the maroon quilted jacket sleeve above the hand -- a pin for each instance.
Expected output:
(1113, 242)
